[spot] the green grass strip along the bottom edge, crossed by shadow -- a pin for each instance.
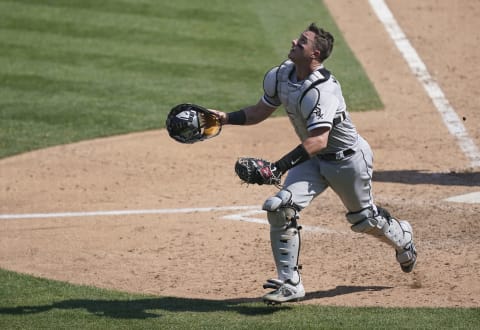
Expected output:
(32, 303)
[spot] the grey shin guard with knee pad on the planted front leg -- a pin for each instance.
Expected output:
(284, 235)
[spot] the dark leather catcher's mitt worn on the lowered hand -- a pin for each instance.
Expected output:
(258, 171)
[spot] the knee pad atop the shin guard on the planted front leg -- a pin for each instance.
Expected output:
(280, 209)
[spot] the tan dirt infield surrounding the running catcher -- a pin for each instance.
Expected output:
(201, 253)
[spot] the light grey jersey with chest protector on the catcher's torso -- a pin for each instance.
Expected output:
(312, 103)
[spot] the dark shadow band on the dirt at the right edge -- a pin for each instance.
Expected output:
(469, 179)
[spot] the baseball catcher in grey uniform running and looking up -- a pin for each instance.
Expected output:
(331, 154)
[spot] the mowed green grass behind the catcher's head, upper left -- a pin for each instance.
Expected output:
(75, 70)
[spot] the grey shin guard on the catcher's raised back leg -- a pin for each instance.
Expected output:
(383, 226)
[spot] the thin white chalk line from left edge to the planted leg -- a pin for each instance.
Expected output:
(123, 212)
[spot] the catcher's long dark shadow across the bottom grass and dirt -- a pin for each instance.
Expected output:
(154, 307)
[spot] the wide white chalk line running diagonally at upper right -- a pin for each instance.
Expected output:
(449, 116)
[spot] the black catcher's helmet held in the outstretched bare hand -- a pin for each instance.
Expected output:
(190, 123)
